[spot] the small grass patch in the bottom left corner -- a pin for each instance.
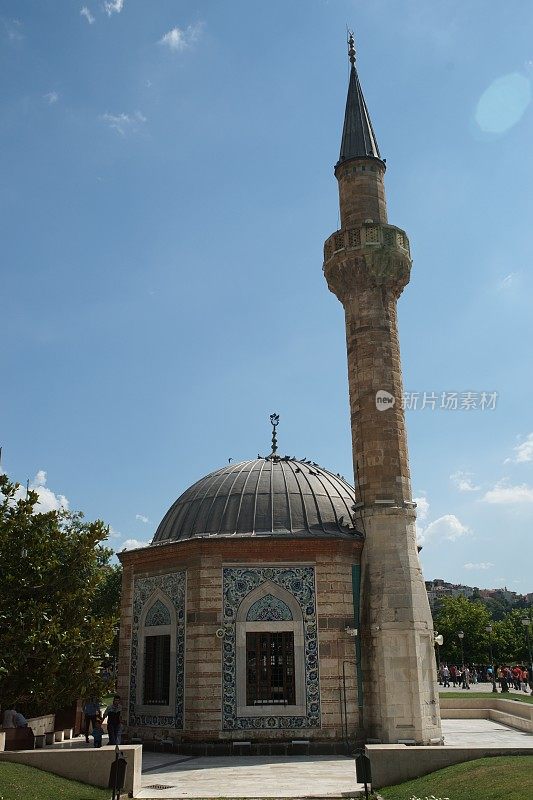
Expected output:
(19, 782)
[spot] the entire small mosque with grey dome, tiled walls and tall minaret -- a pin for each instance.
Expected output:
(277, 607)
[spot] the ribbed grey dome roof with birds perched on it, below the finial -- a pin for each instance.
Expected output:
(271, 496)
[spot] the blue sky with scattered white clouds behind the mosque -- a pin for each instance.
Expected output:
(167, 186)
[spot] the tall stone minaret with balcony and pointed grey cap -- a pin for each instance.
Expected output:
(367, 265)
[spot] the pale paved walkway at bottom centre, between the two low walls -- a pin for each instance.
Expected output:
(248, 776)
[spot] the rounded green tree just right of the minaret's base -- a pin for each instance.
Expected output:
(456, 614)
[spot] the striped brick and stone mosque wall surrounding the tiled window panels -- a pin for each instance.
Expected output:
(203, 561)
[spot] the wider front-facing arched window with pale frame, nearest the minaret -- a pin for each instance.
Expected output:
(270, 654)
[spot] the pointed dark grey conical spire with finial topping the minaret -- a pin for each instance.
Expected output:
(358, 137)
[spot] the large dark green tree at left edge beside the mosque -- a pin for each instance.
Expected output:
(54, 628)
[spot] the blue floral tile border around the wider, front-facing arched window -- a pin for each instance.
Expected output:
(238, 582)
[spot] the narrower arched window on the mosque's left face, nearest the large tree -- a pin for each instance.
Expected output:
(156, 688)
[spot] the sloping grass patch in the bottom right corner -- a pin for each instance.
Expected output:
(495, 778)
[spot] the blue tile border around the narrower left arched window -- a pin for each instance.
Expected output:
(172, 585)
